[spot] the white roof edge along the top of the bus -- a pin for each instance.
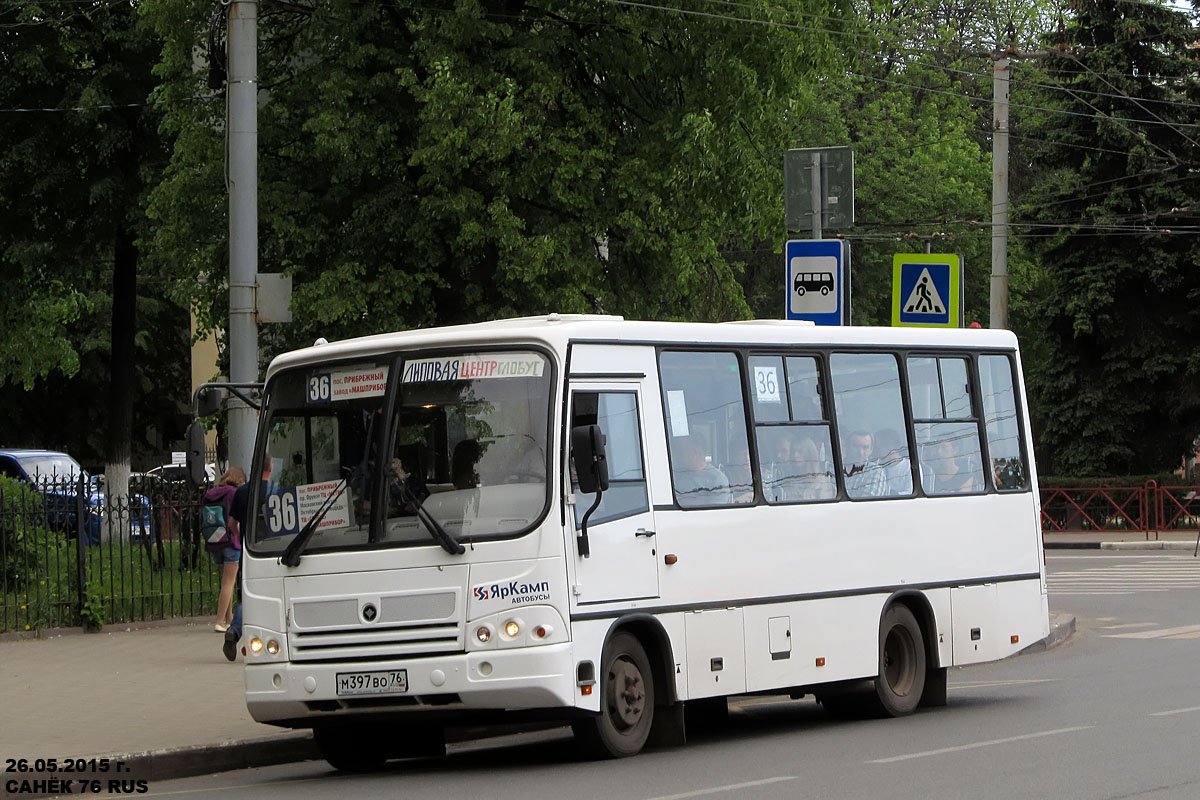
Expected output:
(557, 330)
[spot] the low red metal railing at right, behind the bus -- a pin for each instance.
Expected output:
(1148, 510)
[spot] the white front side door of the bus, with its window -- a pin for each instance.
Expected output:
(623, 564)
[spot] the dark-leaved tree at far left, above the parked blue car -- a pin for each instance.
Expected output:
(73, 210)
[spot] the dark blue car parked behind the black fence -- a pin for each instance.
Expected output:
(57, 478)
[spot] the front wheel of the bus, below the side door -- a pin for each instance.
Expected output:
(627, 702)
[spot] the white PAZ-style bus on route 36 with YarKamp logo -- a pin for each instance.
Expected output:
(785, 509)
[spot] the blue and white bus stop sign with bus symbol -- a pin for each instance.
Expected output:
(817, 281)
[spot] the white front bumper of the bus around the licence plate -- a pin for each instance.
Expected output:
(298, 695)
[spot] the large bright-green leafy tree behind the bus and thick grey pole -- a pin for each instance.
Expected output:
(465, 161)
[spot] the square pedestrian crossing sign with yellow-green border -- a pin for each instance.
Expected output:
(927, 291)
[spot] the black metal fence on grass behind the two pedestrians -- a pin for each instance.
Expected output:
(69, 557)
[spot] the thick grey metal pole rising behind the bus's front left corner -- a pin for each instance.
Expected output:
(243, 177)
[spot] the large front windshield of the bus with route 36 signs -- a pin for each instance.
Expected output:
(391, 448)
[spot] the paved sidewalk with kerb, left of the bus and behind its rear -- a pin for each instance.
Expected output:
(161, 697)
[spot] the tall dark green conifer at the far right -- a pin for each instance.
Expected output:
(1117, 300)
